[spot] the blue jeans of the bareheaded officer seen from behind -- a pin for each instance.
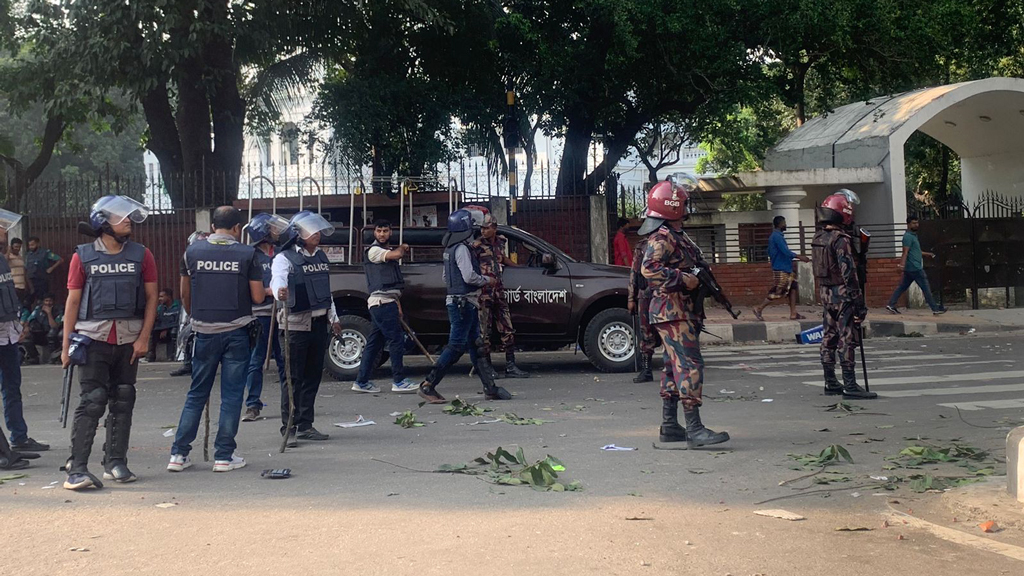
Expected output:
(231, 352)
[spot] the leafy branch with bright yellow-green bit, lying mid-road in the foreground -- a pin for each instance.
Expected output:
(501, 467)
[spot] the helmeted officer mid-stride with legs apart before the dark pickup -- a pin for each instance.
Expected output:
(463, 282)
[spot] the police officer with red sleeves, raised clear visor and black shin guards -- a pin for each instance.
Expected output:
(112, 299)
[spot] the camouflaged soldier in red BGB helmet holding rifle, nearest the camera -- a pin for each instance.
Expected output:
(676, 314)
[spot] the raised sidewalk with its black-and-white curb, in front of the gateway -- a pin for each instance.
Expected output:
(779, 328)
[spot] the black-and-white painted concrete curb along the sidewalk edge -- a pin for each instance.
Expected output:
(787, 332)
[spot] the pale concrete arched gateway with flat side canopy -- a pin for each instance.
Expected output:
(861, 147)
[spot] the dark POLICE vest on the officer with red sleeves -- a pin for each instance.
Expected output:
(113, 283)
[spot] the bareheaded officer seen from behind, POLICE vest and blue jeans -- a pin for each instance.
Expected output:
(224, 281)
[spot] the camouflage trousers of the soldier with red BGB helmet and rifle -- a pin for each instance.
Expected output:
(684, 374)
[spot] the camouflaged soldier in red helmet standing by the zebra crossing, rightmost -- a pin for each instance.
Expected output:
(841, 294)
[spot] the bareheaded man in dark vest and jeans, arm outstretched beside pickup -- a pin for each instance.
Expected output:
(385, 283)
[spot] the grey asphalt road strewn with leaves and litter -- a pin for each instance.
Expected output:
(344, 506)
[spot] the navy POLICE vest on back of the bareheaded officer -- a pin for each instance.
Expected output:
(220, 275)
